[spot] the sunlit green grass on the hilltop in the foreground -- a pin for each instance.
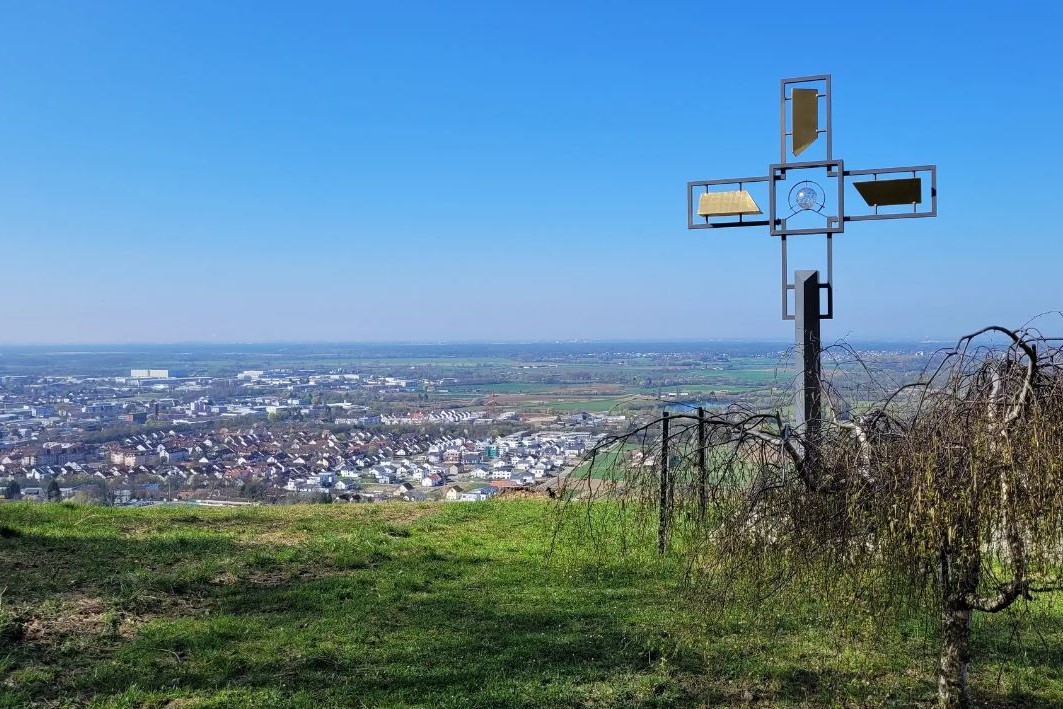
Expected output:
(459, 605)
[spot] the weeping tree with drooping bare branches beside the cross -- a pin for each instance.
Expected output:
(949, 494)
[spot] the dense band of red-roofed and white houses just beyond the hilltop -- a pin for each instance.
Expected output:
(305, 462)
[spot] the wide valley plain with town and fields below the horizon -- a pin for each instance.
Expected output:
(260, 425)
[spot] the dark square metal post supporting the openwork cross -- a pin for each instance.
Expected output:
(807, 326)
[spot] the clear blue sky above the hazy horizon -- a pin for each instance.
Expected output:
(243, 172)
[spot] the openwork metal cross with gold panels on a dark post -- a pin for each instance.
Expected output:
(800, 206)
